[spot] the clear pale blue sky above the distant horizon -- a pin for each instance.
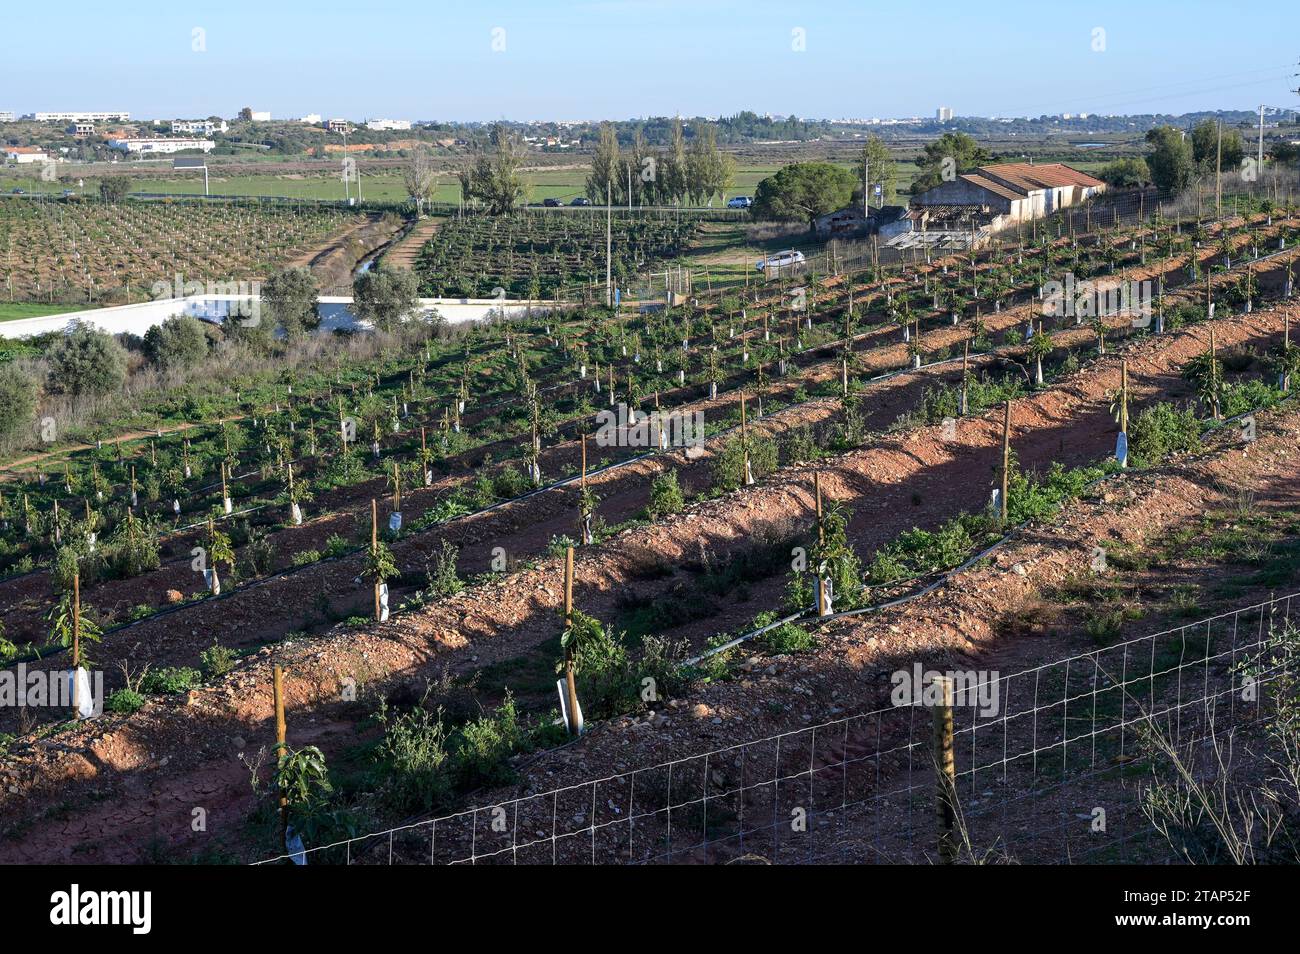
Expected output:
(617, 59)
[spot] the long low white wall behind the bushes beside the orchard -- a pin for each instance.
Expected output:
(138, 319)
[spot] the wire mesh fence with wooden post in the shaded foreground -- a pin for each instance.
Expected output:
(1048, 766)
